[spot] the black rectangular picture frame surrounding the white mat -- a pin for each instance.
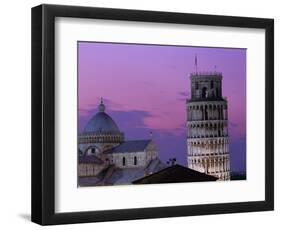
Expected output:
(43, 114)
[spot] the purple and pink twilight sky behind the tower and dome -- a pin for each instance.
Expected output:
(145, 88)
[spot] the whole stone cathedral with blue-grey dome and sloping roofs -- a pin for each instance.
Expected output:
(105, 157)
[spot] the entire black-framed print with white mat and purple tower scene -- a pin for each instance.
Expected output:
(142, 114)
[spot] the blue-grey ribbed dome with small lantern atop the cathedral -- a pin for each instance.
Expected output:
(101, 123)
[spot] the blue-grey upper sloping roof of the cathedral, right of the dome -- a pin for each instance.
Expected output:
(130, 146)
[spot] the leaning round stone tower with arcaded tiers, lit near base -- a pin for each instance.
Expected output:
(207, 126)
